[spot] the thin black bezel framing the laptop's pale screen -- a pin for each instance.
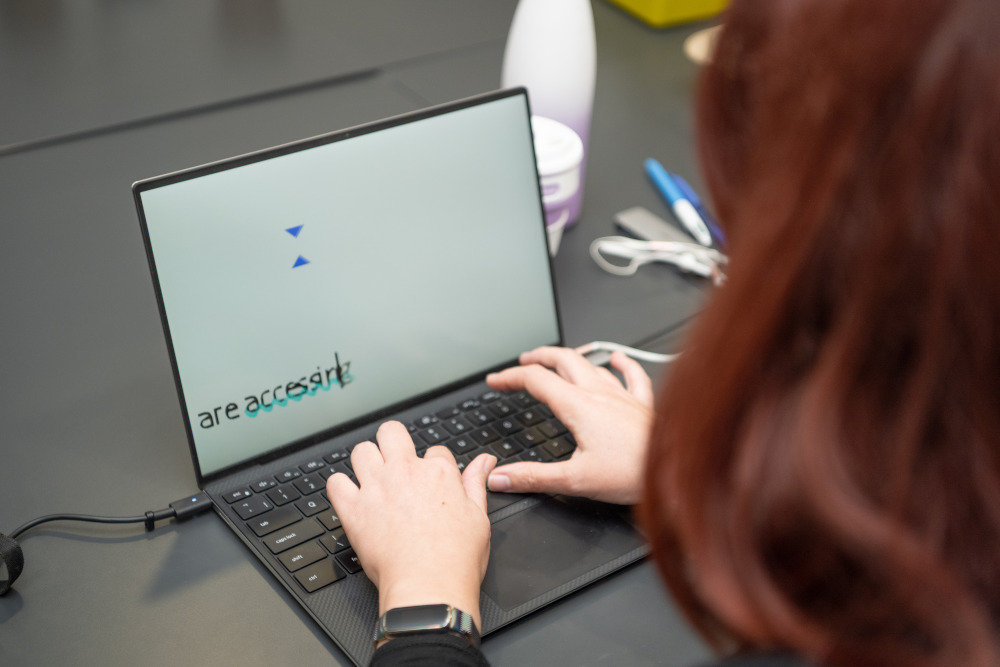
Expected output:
(144, 185)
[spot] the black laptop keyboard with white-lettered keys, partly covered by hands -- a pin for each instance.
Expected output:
(293, 519)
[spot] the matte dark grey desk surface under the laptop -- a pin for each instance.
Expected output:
(90, 417)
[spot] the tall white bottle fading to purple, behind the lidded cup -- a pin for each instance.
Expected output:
(551, 51)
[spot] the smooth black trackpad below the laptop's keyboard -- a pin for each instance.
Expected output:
(552, 543)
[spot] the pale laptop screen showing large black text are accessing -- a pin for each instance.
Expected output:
(305, 287)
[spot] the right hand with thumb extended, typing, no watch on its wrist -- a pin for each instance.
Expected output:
(611, 424)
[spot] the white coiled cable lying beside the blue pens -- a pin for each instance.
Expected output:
(689, 257)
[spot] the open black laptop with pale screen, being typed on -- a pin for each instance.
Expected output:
(311, 291)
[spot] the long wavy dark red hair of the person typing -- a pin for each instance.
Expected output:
(824, 473)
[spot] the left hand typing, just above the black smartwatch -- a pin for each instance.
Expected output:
(418, 525)
